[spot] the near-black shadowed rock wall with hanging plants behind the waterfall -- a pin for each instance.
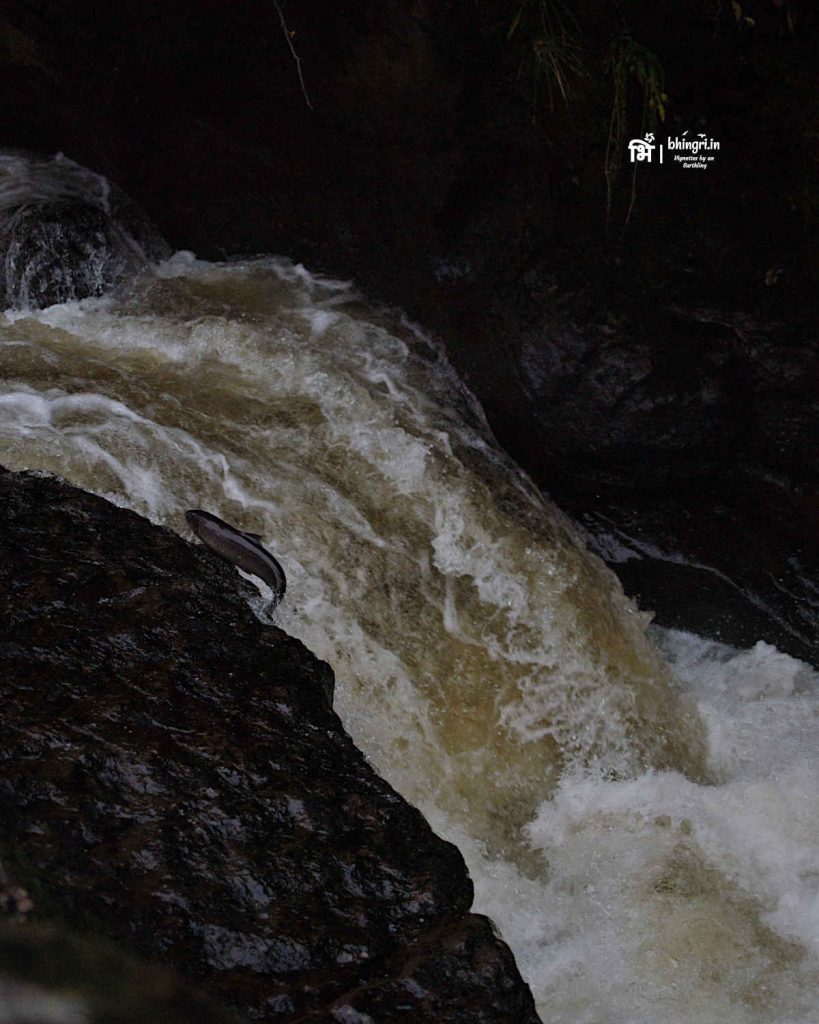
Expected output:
(645, 347)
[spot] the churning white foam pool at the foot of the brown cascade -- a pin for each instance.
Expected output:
(674, 903)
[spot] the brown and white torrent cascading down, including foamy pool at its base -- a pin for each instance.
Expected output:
(649, 860)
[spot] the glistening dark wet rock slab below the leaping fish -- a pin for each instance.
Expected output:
(174, 777)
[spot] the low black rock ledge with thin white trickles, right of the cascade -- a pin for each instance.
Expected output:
(712, 571)
